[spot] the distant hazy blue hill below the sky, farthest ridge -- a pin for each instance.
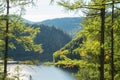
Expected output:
(69, 24)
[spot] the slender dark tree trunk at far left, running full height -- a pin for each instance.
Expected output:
(6, 42)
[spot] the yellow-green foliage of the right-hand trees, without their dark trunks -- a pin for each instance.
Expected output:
(89, 50)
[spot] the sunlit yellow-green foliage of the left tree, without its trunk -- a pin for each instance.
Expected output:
(21, 34)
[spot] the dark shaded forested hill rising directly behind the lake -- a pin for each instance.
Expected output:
(51, 38)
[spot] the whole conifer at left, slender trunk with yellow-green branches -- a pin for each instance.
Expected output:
(13, 28)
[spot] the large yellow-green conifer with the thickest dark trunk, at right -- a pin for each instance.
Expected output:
(96, 38)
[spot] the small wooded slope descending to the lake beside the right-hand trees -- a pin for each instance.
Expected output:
(68, 50)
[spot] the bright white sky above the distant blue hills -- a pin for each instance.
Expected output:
(44, 10)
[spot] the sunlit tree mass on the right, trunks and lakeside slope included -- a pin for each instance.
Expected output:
(98, 52)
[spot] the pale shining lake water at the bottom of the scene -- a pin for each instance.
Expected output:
(39, 72)
